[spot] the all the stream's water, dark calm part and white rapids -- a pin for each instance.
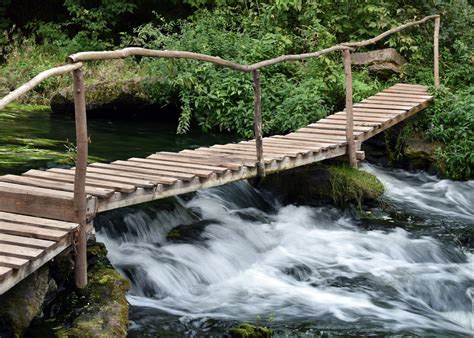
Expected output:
(204, 261)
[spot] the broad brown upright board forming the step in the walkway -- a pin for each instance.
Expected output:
(33, 201)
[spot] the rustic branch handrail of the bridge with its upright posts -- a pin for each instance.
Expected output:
(75, 67)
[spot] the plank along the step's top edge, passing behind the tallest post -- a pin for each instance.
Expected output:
(35, 182)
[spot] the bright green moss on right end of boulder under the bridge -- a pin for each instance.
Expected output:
(351, 185)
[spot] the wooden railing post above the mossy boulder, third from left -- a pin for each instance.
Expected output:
(349, 110)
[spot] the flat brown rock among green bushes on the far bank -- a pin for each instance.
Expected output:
(383, 62)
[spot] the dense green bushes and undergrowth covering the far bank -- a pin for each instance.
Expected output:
(244, 31)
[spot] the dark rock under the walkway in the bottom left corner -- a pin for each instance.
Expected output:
(22, 303)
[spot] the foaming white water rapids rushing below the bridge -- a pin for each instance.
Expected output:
(232, 253)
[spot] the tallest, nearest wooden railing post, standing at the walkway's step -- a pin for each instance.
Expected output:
(80, 203)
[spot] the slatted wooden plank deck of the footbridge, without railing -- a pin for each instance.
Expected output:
(49, 194)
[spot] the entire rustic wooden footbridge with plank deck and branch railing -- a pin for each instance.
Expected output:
(42, 213)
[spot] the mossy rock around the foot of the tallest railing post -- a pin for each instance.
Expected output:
(99, 310)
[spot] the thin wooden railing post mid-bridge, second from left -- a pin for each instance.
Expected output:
(257, 123)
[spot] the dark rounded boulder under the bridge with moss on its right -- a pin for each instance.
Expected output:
(315, 183)
